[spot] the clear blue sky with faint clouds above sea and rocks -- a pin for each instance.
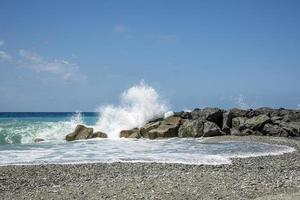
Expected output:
(60, 55)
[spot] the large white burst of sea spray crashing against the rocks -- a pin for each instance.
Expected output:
(138, 104)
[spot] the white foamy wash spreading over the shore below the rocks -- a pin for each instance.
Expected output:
(175, 150)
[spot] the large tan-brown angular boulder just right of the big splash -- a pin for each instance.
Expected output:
(167, 128)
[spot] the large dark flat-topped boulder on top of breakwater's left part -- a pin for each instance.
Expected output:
(210, 114)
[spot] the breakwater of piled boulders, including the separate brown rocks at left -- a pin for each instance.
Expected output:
(210, 122)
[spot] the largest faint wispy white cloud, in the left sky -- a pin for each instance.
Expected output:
(61, 68)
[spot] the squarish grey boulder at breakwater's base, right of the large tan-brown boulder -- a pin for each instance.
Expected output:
(191, 128)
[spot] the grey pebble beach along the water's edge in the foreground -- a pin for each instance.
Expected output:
(246, 178)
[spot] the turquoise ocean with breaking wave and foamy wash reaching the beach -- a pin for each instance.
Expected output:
(19, 130)
